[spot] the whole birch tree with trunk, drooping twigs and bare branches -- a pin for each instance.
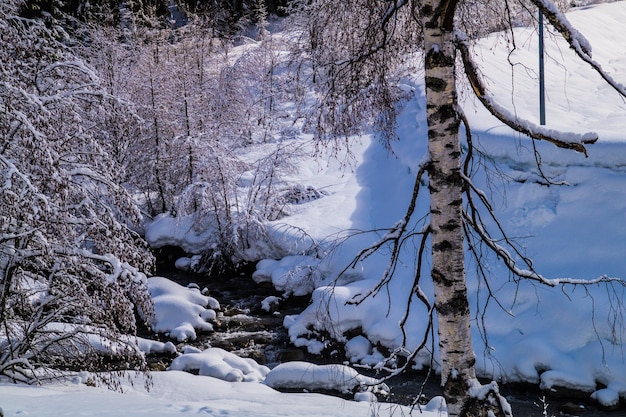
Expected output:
(358, 52)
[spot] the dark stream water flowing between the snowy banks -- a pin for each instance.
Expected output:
(246, 329)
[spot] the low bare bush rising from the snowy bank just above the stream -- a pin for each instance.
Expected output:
(224, 217)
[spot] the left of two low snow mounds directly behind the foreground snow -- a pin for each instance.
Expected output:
(220, 364)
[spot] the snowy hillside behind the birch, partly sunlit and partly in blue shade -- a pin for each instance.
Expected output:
(565, 336)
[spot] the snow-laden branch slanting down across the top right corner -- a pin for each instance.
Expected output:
(576, 41)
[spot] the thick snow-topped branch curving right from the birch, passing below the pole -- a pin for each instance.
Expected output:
(566, 140)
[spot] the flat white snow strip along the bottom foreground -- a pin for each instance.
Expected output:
(177, 393)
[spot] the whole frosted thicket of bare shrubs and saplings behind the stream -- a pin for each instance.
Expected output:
(202, 107)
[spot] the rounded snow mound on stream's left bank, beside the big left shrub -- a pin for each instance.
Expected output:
(180, 311)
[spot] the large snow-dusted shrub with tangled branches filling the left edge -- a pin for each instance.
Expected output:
(71, 262)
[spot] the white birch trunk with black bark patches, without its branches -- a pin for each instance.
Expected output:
(446, 197)
